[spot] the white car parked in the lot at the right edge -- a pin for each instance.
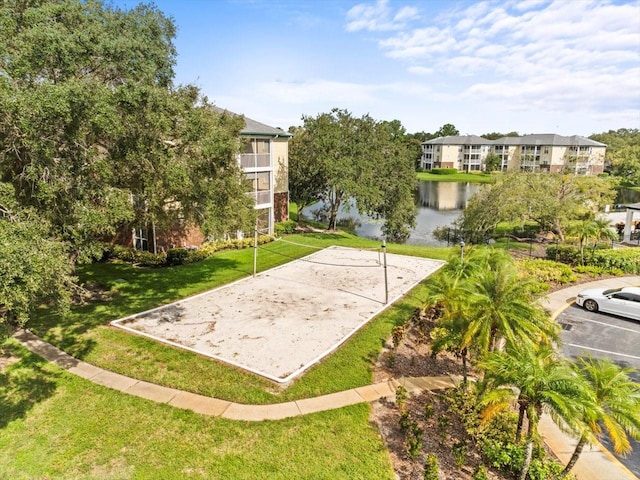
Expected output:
(624, 301)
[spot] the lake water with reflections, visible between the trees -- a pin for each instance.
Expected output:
(439, 204)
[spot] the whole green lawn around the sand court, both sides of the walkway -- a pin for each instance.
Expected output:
(55, 425)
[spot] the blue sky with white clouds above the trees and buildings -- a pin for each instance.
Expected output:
(533, 66)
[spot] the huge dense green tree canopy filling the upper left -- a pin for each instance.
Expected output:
(94, 134)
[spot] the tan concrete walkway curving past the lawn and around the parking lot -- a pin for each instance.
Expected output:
(595, 463)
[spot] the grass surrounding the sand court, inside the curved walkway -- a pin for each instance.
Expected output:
(85, 333)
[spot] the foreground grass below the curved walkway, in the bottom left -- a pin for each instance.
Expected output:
(58, 426)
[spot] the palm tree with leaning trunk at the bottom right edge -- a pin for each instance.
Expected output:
(617, 406)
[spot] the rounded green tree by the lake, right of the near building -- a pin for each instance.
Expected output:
(337, 158)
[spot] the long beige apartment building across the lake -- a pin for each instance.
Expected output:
(529, 153)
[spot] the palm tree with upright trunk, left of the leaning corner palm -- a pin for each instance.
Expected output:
(540, 381)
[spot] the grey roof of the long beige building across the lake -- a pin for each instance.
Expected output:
(551, 139)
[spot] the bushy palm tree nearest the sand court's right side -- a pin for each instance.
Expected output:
(503, 308)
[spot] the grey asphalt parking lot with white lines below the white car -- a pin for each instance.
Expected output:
(603, 336)
